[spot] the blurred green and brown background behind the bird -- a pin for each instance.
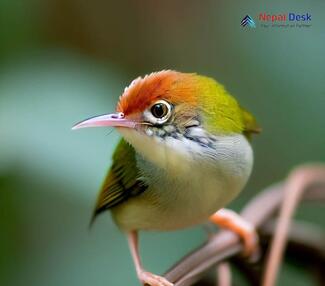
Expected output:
(65, 60)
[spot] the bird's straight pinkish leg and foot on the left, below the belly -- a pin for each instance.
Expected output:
(145, 277)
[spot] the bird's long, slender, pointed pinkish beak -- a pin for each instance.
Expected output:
(114, 120)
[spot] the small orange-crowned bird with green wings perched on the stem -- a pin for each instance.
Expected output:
(185, 153)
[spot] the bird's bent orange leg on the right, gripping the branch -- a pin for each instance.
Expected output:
(229, 219)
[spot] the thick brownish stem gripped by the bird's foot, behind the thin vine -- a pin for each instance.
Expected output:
(226, 244)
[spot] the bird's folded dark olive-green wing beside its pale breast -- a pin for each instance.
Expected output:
(122, 180)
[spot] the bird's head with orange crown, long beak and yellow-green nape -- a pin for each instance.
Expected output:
(167, 104)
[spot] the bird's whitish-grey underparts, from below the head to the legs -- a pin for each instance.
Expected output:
(186, 185)
